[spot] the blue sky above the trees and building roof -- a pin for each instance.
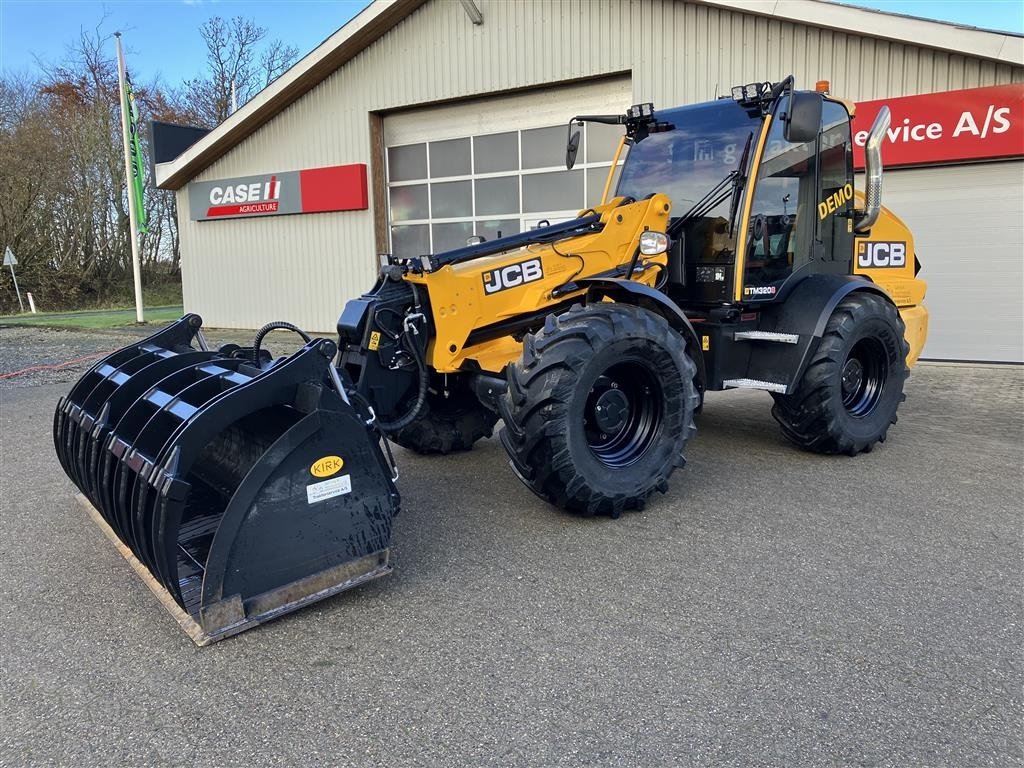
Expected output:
(161, 36)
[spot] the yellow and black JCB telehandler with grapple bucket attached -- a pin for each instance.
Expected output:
(733, 254)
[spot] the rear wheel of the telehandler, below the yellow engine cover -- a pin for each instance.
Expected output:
(848, 397)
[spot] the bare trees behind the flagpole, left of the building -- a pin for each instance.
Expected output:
(64, 197)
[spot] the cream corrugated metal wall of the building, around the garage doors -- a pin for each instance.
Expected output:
(243, 273)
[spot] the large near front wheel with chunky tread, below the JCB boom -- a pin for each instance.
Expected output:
(600, 409)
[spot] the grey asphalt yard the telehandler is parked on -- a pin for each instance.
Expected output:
(775, 609)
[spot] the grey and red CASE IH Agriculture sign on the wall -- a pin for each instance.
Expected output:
(340, 188)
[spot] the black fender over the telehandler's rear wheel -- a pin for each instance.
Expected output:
(806, 311)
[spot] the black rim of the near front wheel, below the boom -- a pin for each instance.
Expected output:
(624, 414)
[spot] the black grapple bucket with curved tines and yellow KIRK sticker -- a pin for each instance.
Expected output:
(243, 492)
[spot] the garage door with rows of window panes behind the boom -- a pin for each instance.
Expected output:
(496, 167)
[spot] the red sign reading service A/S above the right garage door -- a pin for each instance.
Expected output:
(973, 124)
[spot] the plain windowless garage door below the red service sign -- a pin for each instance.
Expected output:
(968, 224)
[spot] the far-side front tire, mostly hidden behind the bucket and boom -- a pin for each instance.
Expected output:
(447, 425)
